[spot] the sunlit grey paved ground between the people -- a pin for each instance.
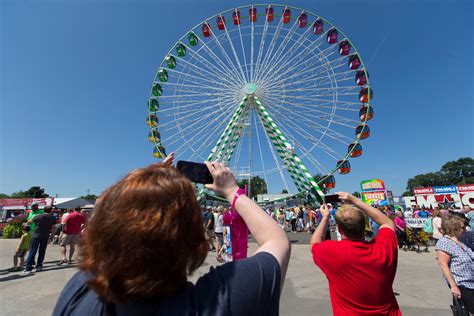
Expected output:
(419, 287)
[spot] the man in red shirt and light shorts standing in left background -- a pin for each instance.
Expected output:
(71, 233)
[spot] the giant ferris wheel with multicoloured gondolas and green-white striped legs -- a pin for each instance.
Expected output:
(273, 91)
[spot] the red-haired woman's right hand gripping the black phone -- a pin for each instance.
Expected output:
(224, 181)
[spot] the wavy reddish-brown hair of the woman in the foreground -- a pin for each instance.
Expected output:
(145, 237)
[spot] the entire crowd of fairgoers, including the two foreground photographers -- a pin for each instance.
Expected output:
(137, 260)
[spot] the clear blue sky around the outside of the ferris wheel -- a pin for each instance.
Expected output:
(75, 78)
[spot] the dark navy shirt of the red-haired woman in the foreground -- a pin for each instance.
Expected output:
(246, 287)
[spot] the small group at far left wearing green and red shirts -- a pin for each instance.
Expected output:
(47, 226)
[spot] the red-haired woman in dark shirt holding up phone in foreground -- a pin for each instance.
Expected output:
(146, 237)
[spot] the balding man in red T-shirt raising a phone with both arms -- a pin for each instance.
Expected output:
(360, 274)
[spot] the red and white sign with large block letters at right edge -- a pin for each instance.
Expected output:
(430, 197)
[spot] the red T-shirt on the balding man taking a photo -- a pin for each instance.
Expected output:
(360, 274)
